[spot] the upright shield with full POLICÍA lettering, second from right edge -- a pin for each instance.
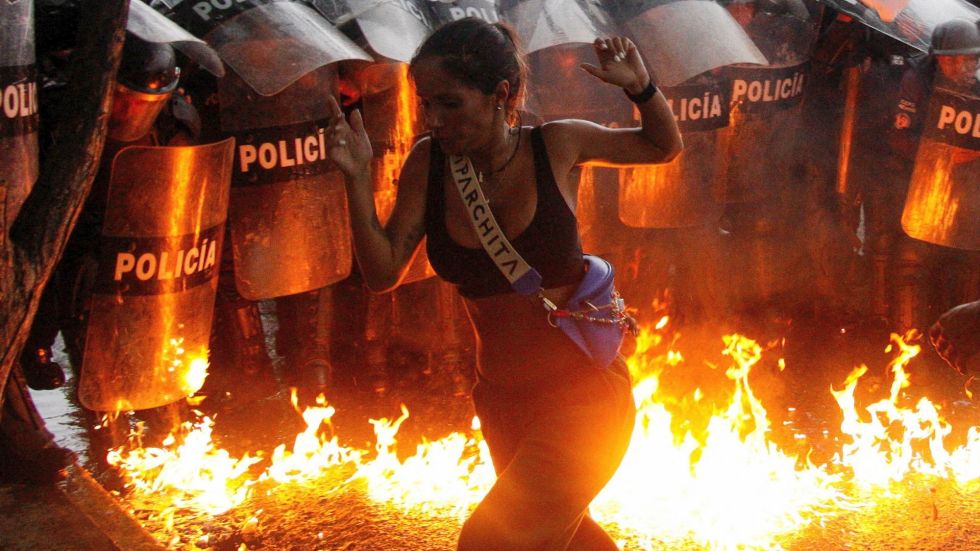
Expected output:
(766, 106)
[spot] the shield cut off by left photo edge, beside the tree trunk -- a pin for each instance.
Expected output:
(18, 106)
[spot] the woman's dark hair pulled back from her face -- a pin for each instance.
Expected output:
(480, 54)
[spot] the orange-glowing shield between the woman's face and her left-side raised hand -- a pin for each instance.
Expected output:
(392, 122)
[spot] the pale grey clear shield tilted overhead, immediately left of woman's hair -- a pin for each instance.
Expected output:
(392, 29)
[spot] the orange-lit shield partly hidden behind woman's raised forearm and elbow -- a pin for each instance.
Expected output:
(684, 192)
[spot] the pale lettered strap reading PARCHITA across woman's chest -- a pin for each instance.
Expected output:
(523, 278)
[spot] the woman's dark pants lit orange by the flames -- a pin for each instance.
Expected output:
(553, 449)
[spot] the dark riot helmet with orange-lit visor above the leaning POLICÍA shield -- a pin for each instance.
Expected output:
(147, 76)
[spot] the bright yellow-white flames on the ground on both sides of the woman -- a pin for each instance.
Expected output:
(723, 485)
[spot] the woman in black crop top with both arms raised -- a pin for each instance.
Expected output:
(557, 427)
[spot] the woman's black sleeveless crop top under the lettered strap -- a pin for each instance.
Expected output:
(550, 243)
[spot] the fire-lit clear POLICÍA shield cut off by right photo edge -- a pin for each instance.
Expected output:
(943, 201)
